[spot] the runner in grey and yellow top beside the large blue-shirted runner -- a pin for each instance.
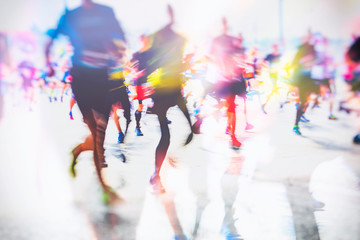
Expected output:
(167, 52)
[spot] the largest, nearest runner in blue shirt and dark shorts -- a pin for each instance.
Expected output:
(91, 29)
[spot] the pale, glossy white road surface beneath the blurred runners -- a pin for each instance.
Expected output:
(269, 178)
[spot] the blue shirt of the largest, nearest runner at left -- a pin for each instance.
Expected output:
(91, 32)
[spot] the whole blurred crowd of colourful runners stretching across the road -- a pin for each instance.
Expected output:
(97, 71)
